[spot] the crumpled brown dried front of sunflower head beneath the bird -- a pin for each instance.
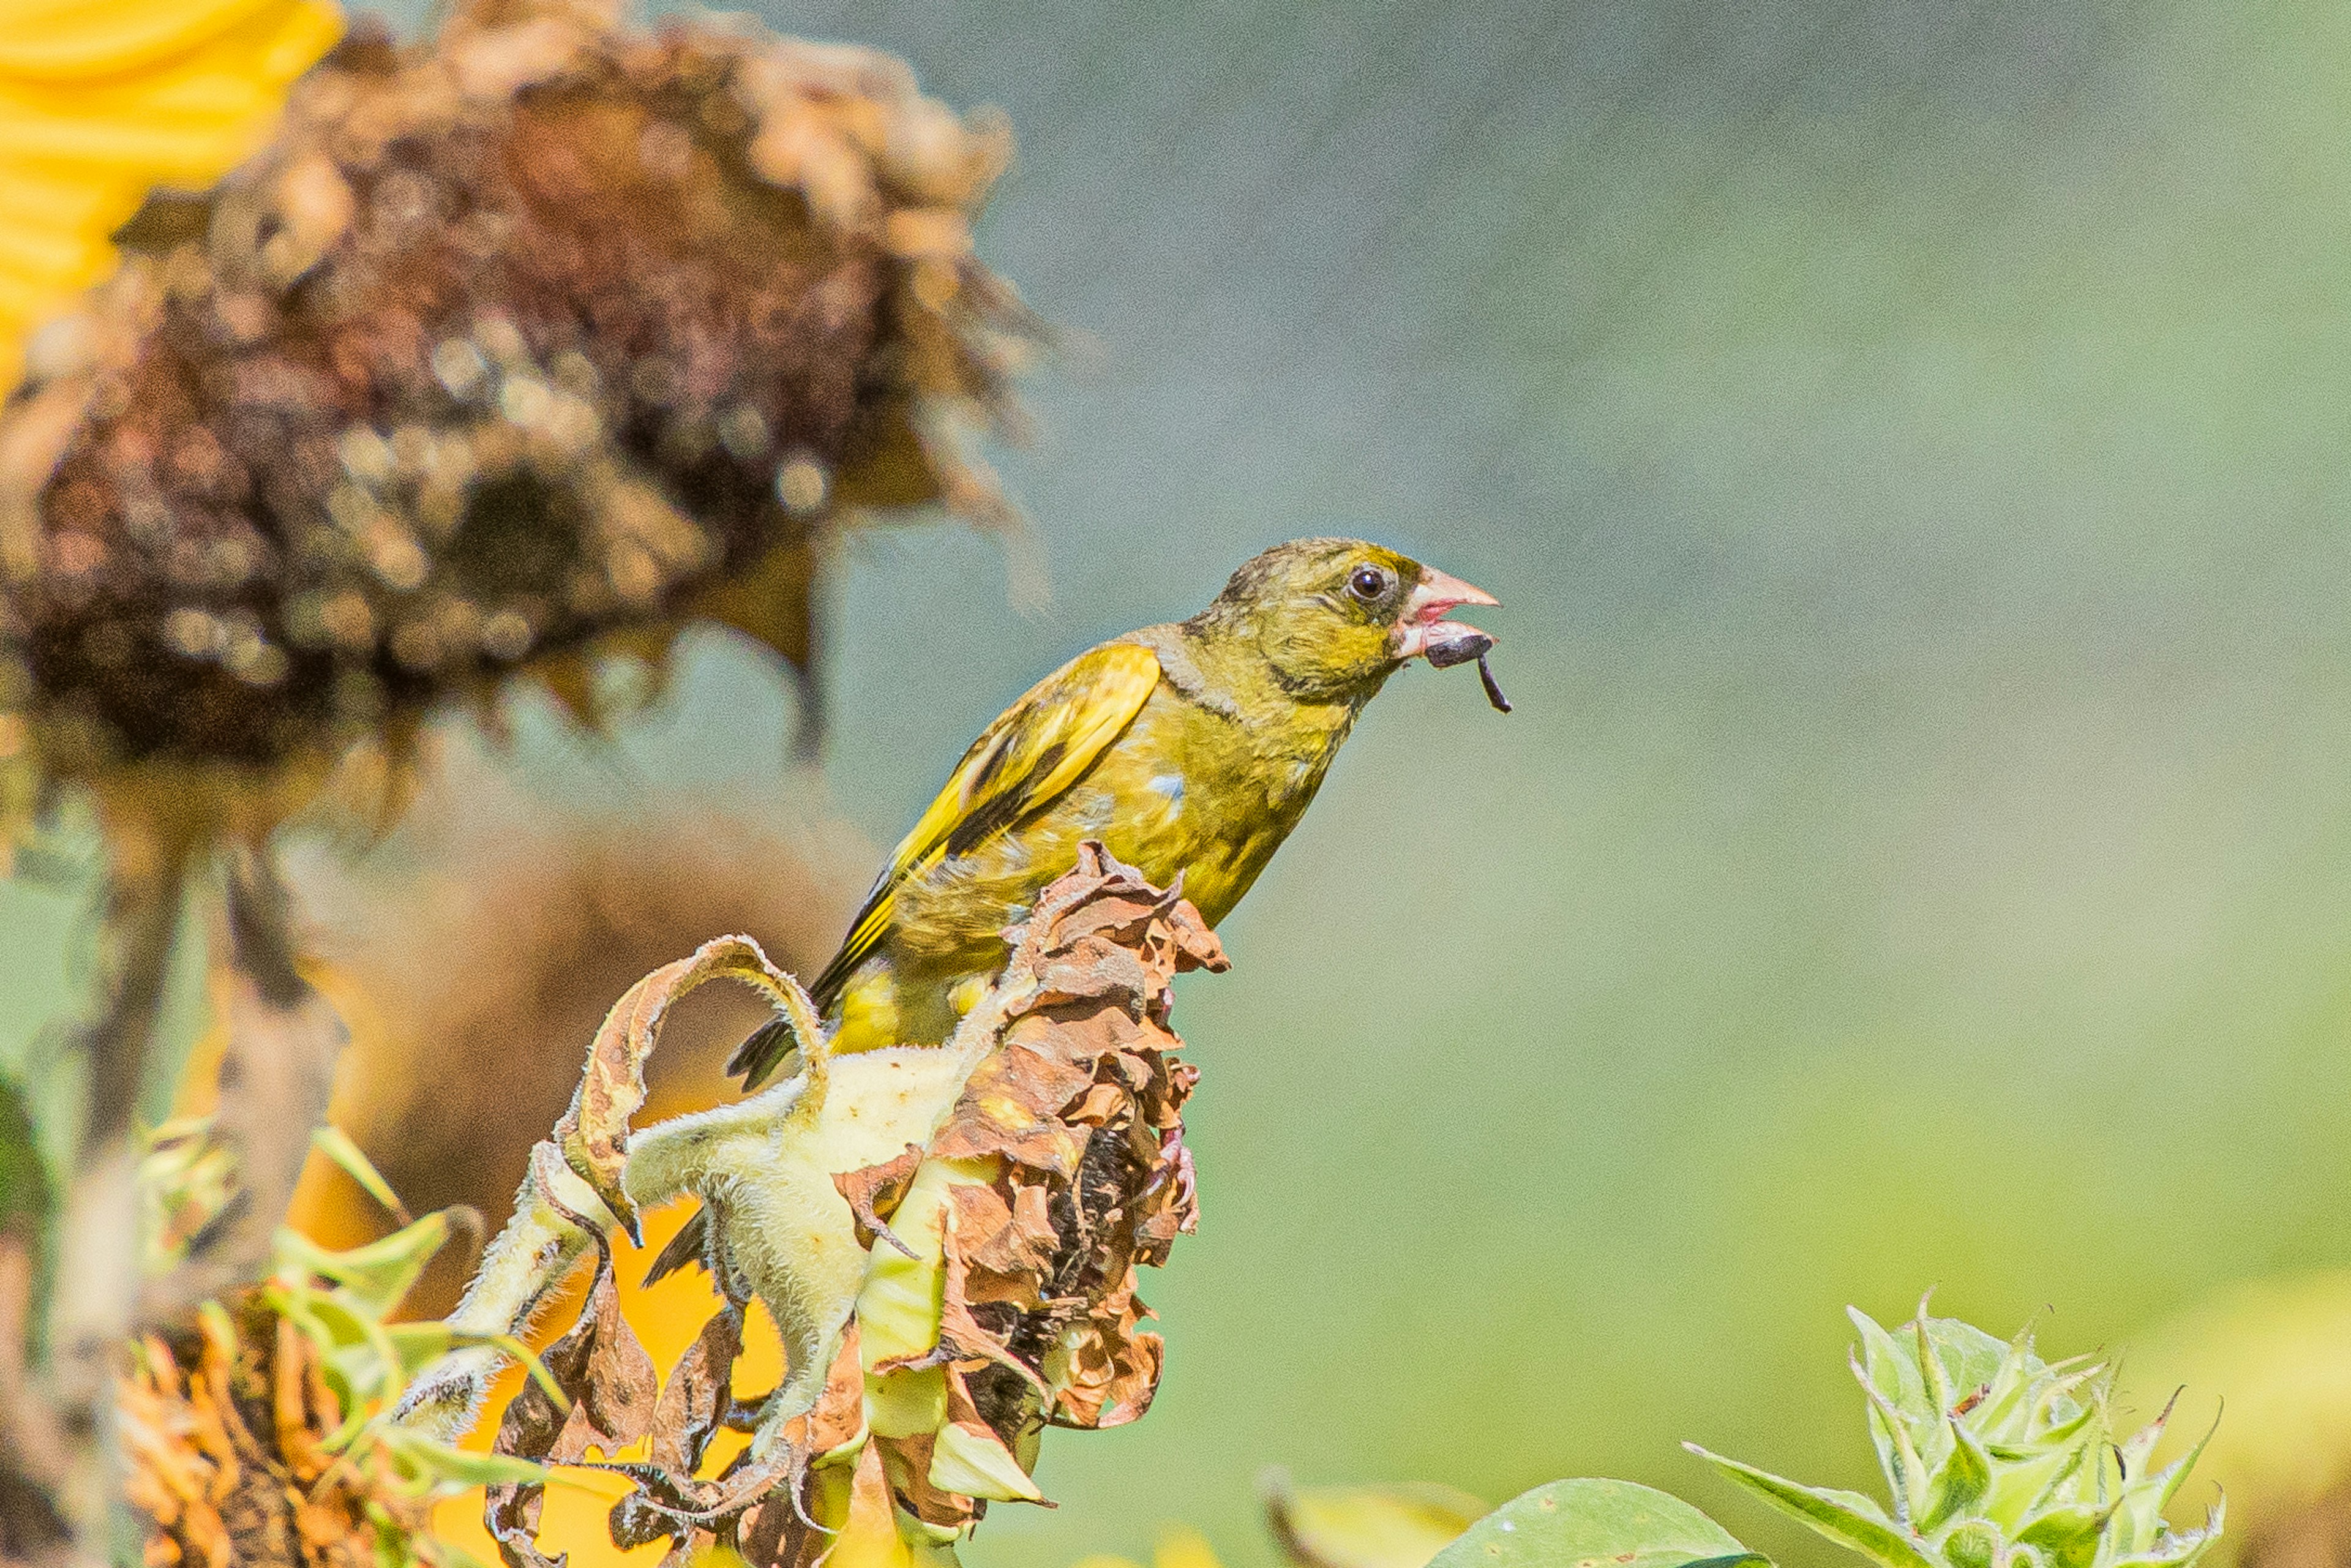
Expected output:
(1080, 1113)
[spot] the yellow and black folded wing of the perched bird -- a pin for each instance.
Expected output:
(1036, 751)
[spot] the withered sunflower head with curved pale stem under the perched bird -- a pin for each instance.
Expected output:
(946, 1242)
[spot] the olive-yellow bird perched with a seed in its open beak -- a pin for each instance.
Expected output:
(1188, 751)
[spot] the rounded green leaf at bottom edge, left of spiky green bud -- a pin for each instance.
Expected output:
(1595, 1525)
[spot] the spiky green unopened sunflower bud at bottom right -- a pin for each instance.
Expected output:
(1995, 1459)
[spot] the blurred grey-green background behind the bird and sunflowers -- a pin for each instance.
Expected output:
(1908, 441)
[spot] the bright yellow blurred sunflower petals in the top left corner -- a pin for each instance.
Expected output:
(102, 102)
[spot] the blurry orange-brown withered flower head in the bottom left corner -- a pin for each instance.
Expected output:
(225, 1435)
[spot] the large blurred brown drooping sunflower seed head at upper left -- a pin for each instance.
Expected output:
(511, 344)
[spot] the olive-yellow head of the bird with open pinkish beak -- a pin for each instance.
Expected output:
(1337, 615)
